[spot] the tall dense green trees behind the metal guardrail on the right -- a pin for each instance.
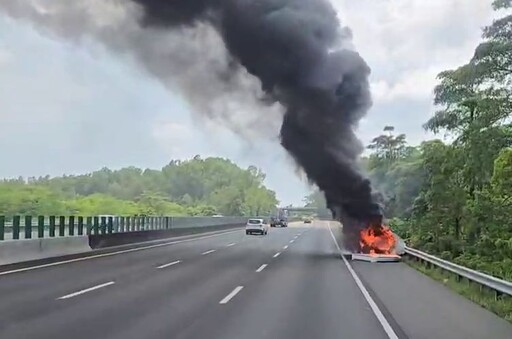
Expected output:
(455, 199)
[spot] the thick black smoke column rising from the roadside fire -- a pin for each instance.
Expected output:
(296, 49)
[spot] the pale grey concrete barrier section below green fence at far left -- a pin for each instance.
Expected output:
(15, 251)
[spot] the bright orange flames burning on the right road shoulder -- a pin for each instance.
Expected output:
(377, 239)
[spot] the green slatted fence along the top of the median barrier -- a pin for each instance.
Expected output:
(28, 227)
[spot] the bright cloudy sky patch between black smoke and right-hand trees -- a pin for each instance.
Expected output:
(407, 43)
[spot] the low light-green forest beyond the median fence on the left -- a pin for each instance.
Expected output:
(192, 187)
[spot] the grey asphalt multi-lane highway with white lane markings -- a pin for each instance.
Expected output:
(291, 283)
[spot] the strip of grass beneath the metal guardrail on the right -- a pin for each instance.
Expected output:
(501, 305)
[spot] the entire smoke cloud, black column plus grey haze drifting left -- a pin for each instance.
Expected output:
(252, 64)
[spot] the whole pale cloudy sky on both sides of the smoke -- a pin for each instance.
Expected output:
(71, 108)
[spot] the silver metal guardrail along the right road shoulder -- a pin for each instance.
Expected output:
(501, 287)
